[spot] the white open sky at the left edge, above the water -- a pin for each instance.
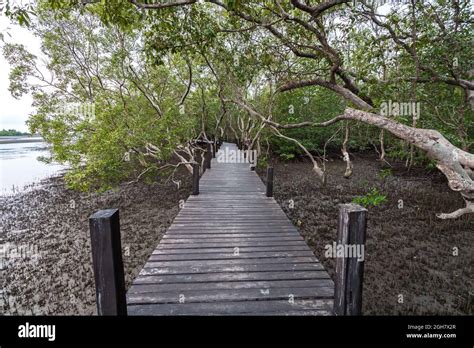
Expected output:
(13, 112)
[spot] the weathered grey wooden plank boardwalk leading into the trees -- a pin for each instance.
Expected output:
(231, 251)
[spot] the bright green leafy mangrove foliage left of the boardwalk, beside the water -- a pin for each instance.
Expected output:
(104, 116)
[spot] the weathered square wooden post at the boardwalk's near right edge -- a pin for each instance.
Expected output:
(350, 268)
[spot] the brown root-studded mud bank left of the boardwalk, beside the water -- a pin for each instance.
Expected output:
(47, 268)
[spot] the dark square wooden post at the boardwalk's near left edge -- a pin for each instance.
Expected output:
(107, 261)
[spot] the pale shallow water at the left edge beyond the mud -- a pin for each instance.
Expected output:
(19, 164)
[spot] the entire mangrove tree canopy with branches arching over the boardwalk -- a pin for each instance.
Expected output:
(148, 78)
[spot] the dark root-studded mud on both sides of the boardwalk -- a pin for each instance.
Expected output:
(409, 252)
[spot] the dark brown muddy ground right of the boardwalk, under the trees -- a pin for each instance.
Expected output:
(409, 263)
